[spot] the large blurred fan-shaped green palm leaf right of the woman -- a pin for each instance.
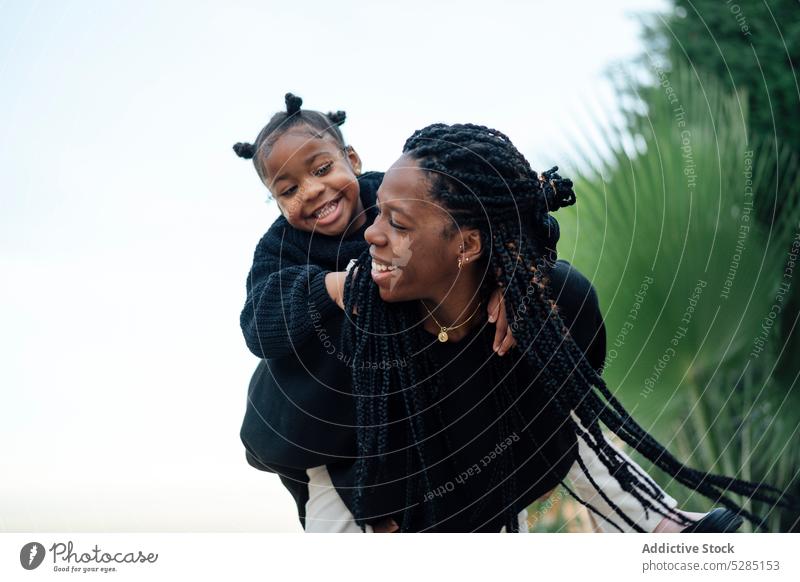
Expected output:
(678, 216)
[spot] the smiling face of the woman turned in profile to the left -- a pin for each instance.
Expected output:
(413, 257)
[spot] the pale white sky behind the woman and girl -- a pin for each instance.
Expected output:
(127, 224)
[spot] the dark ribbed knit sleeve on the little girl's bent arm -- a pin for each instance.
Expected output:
(283, 302)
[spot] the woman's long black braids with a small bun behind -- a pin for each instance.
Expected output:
(478, 176)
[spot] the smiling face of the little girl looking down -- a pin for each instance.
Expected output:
(313, 180)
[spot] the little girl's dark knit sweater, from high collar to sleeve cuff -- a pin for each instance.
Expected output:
(286, 290)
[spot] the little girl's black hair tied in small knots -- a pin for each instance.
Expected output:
(281, 122)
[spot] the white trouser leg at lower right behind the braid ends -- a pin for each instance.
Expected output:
(611, 487)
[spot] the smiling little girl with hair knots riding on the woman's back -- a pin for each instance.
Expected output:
(325, 204)
